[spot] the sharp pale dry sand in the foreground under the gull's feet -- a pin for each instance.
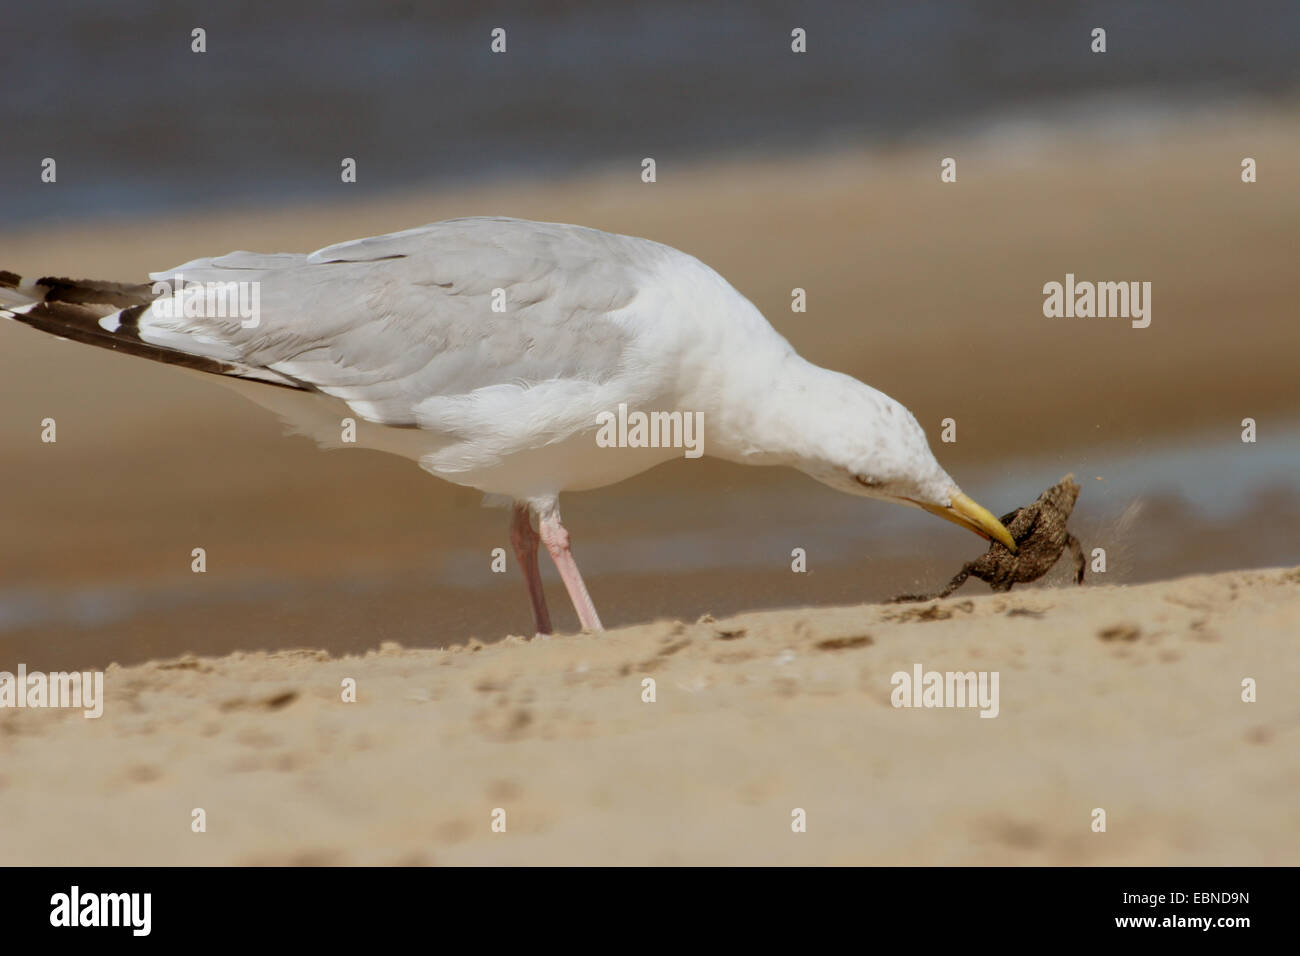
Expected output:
(1123, 699)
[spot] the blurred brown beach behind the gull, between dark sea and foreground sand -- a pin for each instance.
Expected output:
(933, 296)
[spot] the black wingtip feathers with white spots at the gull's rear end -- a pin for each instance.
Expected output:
(109, 315)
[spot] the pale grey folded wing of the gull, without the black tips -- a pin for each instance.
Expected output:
(393, 325)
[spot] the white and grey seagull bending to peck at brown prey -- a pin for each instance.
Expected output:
(493, 352)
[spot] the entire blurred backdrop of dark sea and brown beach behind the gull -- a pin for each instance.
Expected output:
(816, 171)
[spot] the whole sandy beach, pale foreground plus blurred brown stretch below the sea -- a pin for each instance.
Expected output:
(224, 689)
